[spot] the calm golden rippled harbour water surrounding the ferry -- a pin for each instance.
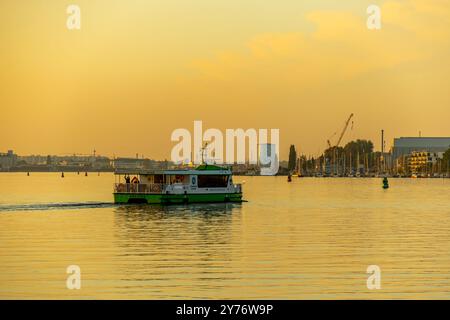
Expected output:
(313, 238)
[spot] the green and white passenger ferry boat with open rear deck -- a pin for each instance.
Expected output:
(205, 183)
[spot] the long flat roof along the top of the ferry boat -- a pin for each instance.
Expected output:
(203, 169)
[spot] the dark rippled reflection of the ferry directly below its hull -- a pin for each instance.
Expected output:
(156, 228)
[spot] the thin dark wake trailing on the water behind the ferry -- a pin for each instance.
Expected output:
(54, 206)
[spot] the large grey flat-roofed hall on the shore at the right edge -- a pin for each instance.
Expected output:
(405, 146)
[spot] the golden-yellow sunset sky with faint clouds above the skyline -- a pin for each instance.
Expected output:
(139, 69)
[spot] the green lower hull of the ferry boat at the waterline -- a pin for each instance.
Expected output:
(176, 198)
